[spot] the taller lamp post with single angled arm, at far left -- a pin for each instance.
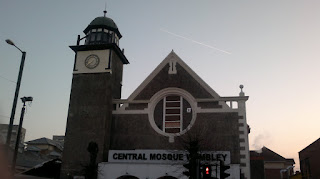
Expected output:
(14, 105)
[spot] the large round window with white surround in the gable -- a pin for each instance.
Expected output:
(172, 111)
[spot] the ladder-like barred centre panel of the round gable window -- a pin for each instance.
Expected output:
(172, 110)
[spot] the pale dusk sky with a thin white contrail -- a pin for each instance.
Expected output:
(271, 47)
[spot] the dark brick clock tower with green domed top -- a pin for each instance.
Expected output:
(96, 82)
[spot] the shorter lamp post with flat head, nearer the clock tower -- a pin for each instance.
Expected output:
(24, 100)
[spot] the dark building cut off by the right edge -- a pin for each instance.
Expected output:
(310, 161)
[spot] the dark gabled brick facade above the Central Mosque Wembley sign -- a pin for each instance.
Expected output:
(137, 123)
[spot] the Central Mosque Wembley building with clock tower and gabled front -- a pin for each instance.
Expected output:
(143, 136)
